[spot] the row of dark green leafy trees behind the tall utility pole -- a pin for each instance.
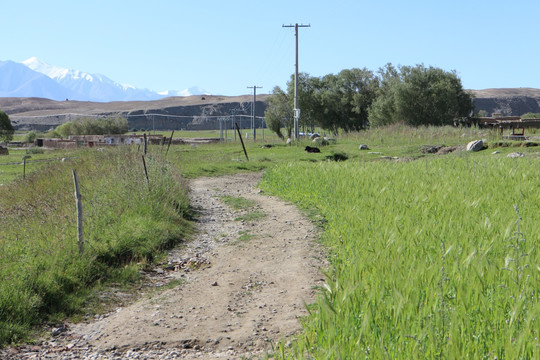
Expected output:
(356, 98)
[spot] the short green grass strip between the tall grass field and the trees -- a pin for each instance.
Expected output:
(396, 141)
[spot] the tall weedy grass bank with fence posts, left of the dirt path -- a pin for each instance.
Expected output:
(126, 219)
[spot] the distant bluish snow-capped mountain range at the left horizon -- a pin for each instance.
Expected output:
(41, 79)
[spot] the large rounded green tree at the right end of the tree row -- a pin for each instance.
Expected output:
(419, 95)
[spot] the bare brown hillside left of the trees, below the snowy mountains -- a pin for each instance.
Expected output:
(172, 113)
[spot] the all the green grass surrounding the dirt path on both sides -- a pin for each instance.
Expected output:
(418, 246)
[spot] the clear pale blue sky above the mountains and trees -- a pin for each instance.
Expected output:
(226, 46)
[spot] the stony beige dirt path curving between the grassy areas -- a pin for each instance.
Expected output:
(246, 283)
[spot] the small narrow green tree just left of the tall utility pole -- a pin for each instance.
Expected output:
(279, 113)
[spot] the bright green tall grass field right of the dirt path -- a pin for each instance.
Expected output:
(423, 257)
